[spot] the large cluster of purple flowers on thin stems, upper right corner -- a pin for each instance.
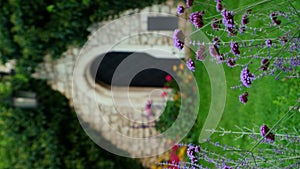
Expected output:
(240, 50)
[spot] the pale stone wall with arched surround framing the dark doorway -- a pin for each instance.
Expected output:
(59, 72)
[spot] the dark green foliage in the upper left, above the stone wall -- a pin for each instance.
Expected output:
(32, 29)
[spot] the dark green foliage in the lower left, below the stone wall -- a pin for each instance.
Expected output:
(49, 136)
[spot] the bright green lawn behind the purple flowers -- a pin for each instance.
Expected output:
(269, 97)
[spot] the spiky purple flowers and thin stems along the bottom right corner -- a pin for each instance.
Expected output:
(228, 156)
